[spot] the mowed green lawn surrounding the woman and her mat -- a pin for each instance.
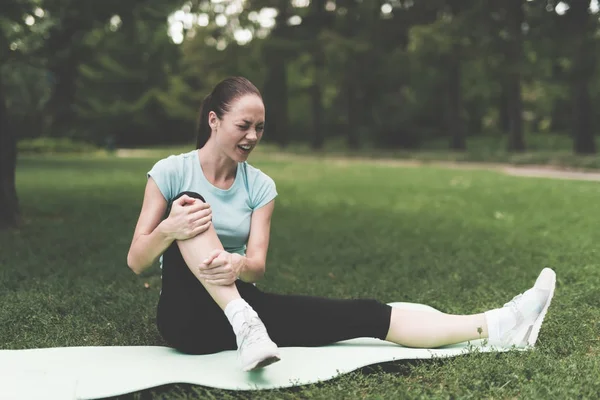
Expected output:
(460, 241)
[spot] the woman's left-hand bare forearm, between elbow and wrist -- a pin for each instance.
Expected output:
(147, 248)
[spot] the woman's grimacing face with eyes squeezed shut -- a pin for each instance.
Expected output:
(240, 129)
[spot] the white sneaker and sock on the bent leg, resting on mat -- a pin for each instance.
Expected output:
(255, 347)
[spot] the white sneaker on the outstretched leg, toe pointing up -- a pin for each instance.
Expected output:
(529, 310)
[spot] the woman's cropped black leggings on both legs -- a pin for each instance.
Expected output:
(192, 322)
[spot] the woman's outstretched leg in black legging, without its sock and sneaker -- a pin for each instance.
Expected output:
(314, 321)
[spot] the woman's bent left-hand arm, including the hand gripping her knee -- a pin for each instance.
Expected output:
(153, 236)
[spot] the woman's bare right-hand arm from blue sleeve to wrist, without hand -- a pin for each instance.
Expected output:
(253, 264)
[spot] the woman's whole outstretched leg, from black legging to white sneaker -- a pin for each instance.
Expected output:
(313, 321)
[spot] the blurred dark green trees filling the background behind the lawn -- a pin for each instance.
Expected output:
(377, 73)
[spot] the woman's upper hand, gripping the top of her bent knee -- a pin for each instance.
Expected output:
(188, 217)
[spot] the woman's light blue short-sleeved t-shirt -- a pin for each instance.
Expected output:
(232, 208)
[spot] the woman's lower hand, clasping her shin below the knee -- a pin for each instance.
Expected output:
(221, 268)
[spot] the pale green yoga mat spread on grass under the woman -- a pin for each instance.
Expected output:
(96, 372)
